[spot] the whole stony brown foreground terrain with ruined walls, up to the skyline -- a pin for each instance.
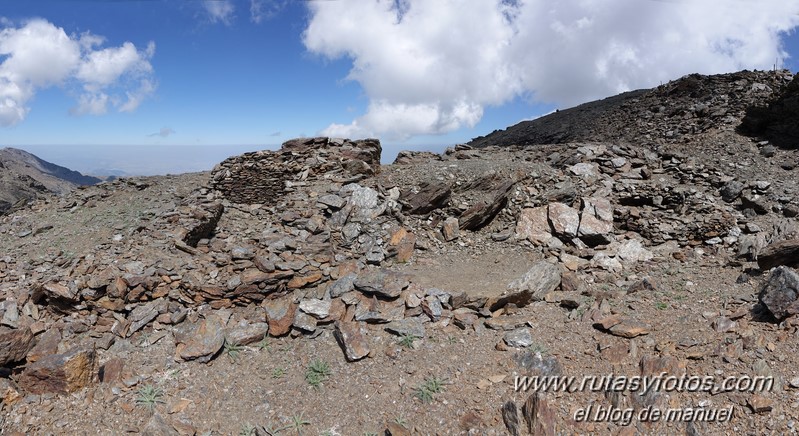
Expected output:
(656, 239)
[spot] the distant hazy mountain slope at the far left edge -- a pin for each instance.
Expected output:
(24, 176)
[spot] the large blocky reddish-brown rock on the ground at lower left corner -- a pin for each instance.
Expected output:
(60, 373)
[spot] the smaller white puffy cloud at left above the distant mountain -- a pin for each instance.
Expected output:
(39, 55)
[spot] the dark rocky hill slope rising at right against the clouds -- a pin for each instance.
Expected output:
(672, 113)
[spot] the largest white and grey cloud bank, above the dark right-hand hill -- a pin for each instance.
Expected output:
(431, 67)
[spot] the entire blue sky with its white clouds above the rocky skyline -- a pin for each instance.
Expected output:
(158, 78)
